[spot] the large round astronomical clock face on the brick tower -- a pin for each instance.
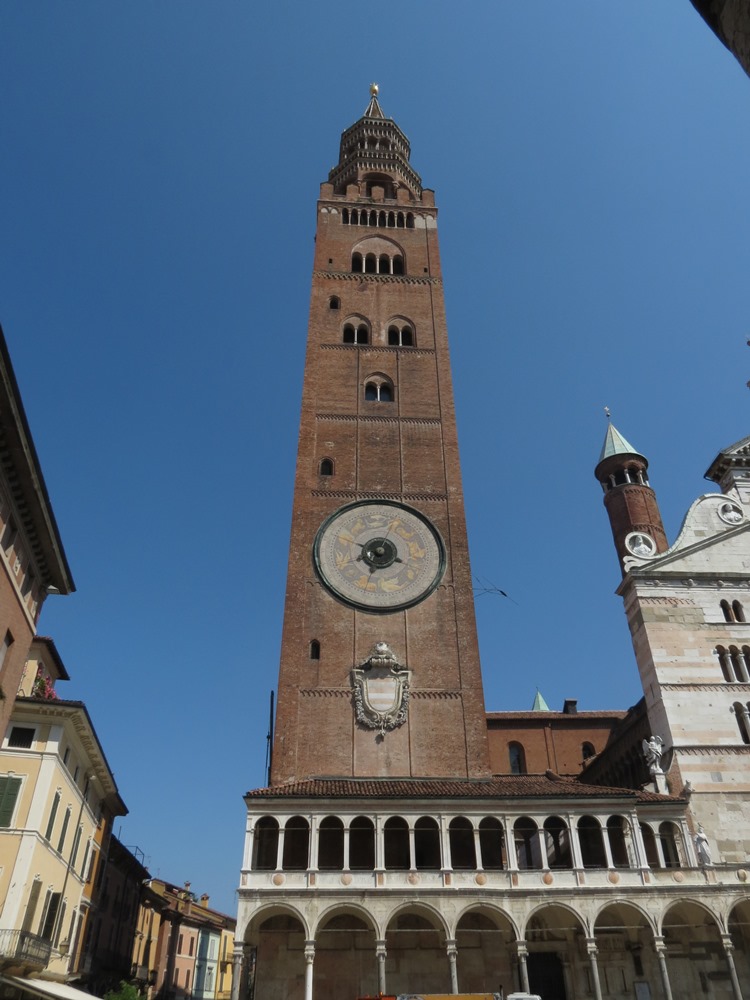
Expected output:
(379, 555)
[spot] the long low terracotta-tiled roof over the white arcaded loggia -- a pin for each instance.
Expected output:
(504, 787)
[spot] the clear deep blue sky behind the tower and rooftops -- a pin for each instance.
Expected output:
(159, 172)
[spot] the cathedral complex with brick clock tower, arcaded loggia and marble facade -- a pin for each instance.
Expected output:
(408, 842)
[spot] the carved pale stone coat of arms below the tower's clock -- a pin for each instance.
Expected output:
(381, 689)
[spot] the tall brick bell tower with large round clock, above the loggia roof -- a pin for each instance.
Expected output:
(379, 673)
